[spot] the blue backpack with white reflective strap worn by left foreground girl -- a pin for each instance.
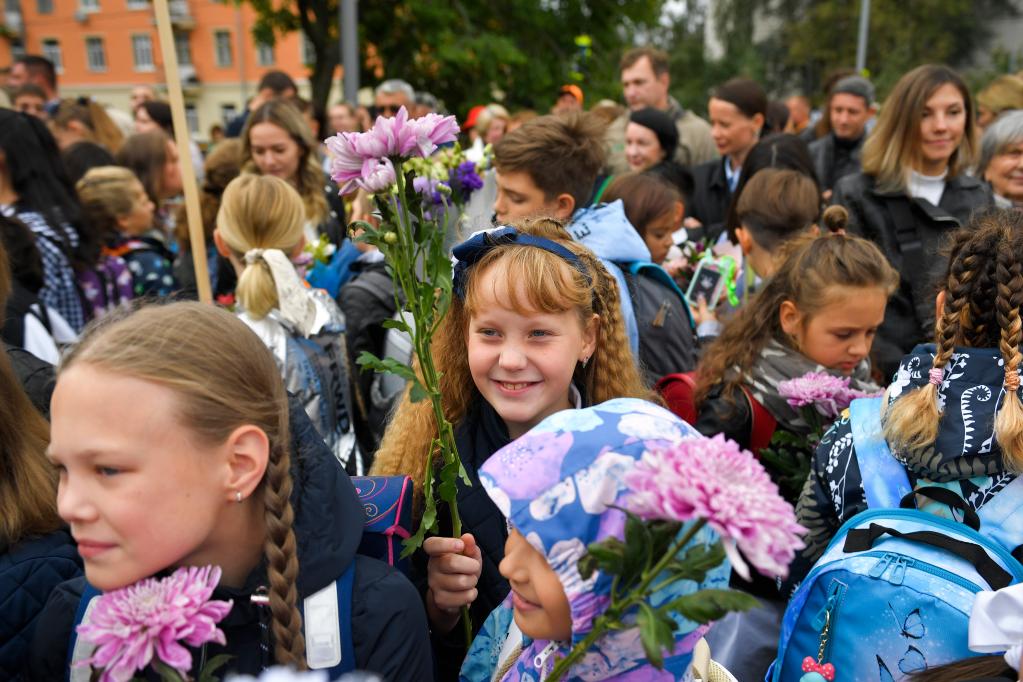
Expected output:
(387, 503)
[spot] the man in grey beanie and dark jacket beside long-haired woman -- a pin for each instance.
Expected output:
(851, 106)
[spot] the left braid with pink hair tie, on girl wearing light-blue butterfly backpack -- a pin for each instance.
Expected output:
(912, 423)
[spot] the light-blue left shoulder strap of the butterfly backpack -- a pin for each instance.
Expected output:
(884, 479)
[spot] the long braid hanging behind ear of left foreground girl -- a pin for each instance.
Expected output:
(283, 561)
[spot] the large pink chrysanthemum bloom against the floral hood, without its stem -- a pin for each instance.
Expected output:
(715, 480)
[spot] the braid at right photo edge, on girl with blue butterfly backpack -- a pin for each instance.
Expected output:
(1009, 423)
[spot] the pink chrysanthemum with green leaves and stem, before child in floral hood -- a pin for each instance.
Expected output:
(676, 492)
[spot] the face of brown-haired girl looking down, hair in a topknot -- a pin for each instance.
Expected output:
(840, 335)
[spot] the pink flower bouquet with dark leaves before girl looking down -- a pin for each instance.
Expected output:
(821, 399)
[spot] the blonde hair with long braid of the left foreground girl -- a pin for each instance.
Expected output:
(220, 386)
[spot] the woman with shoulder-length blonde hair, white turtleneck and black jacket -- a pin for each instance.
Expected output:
(913, 193)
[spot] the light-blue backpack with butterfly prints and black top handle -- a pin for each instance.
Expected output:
(893, 594)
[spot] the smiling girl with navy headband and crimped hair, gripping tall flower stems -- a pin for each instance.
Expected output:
(535, 329)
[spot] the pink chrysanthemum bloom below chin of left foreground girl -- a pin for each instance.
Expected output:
(154, 618)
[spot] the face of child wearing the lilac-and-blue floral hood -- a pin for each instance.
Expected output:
(542, 610)
